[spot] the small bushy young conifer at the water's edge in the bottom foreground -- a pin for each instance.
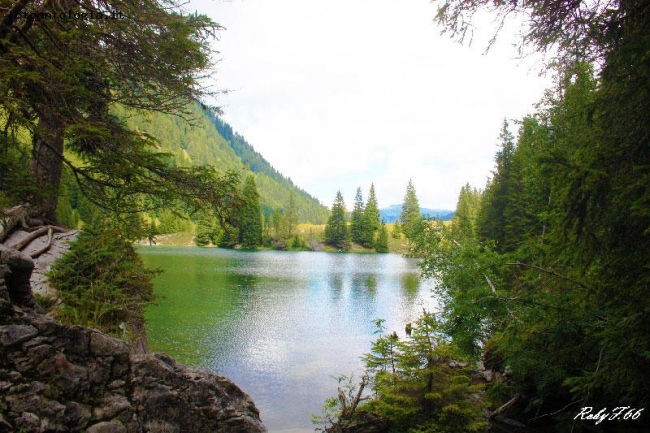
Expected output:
(418, 385)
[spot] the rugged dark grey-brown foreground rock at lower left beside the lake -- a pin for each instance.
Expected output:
(60, 378)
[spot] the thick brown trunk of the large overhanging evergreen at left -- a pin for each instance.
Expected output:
(47, 163)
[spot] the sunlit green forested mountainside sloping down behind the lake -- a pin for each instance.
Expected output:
(207, 140)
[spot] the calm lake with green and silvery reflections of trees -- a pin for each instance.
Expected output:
(282, 325)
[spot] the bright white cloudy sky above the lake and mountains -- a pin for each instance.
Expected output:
(339, 94)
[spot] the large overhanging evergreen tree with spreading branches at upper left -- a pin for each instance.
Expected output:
(66, 74)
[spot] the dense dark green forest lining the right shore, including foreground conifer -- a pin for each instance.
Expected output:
(543, 273)
